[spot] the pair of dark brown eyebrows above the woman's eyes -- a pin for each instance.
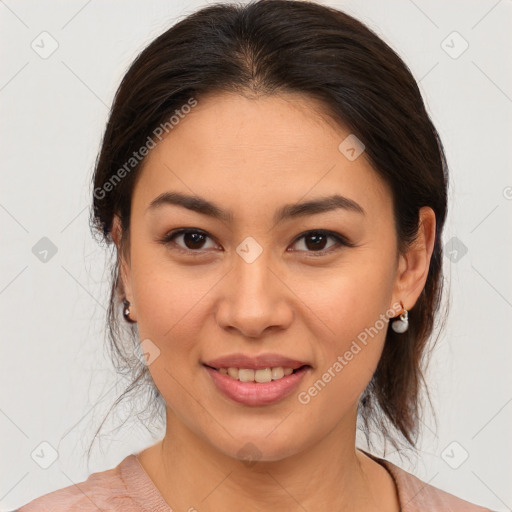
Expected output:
(289, 211)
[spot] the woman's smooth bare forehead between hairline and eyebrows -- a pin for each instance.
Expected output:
(259, 151)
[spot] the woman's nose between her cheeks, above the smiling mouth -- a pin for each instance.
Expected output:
(254, 299)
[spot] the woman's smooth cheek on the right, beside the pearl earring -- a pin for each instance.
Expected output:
(351, 312)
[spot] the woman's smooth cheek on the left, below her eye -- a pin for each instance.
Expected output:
(170, 313)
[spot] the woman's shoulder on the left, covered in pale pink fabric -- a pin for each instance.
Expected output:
(105, 490)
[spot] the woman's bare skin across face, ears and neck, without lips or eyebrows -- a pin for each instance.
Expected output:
(252, 155)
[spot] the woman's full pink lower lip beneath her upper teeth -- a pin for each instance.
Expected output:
(257, 393)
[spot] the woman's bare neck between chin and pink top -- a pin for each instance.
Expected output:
(191, 474)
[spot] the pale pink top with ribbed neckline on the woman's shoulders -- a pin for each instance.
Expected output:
(128, 488)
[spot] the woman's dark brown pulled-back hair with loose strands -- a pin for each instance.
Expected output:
(276, 47)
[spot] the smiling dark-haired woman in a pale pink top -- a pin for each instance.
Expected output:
(276, 193)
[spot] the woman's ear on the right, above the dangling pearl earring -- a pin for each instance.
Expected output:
(414, 265)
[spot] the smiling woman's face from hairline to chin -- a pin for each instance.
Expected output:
(252, 283)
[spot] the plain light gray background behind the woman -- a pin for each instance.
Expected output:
(57, 382)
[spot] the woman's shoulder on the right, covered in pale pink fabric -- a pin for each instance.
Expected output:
(416, 495)
